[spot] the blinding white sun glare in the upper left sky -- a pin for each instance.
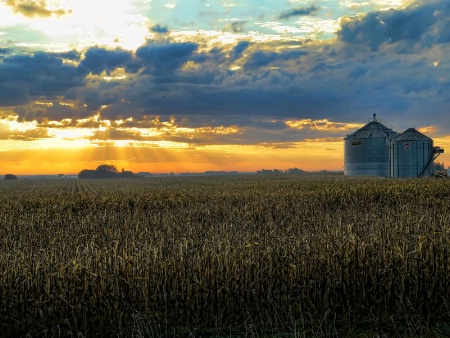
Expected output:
(85, 23)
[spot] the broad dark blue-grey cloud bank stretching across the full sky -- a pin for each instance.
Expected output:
(348, 79)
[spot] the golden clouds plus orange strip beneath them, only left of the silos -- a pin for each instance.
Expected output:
(152, 145)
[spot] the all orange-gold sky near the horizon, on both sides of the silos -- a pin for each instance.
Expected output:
(69, 153)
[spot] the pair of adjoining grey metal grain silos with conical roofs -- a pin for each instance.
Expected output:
(377, 150)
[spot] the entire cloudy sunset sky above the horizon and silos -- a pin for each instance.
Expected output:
(200, 85)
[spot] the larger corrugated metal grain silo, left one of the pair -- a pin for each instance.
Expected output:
(367, 150)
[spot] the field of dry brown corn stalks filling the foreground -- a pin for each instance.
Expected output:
(243, 256)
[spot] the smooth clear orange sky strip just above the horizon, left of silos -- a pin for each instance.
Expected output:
(307, 156)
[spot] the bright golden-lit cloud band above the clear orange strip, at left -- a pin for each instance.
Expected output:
(149, 131)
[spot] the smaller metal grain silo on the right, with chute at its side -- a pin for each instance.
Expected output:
(412, 154)
